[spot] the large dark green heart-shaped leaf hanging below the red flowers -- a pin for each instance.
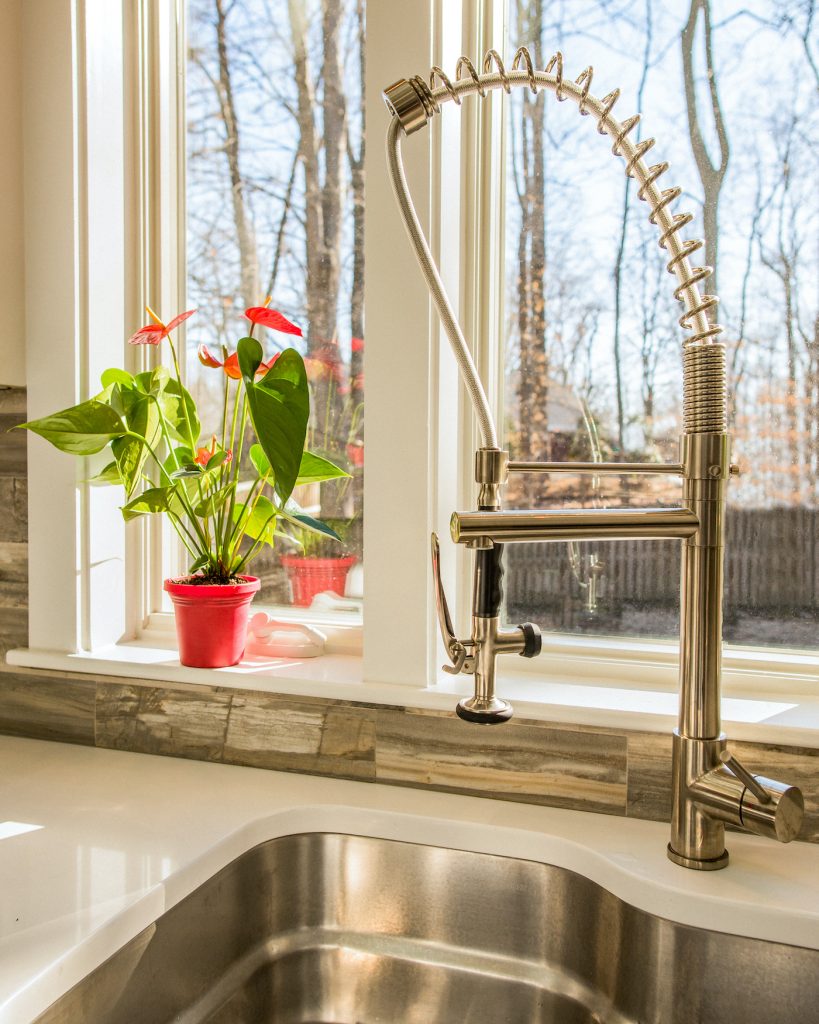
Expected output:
(280, 408)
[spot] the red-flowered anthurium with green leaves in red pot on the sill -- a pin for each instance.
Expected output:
(149, 424)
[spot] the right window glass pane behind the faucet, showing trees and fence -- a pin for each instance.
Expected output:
(593, 360)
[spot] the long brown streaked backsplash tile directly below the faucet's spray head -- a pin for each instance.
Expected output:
(523, 761)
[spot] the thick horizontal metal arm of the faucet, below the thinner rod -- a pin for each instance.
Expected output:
(515, 526)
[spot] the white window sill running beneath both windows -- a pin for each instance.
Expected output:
(779, 718)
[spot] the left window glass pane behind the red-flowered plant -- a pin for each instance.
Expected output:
(275, 207)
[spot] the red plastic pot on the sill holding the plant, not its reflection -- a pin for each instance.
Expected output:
(211, 621)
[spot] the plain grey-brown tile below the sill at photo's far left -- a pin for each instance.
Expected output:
(48, 709)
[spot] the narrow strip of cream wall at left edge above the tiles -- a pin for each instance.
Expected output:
(13, 351)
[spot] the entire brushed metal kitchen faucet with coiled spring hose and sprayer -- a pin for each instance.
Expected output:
(711, 787)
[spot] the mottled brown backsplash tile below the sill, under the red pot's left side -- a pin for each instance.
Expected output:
(183, 723)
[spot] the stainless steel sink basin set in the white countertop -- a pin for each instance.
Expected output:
(344, 930)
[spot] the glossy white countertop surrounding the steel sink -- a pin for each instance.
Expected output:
(96, 845)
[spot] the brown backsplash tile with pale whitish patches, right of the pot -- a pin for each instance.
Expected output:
(300, 735)
